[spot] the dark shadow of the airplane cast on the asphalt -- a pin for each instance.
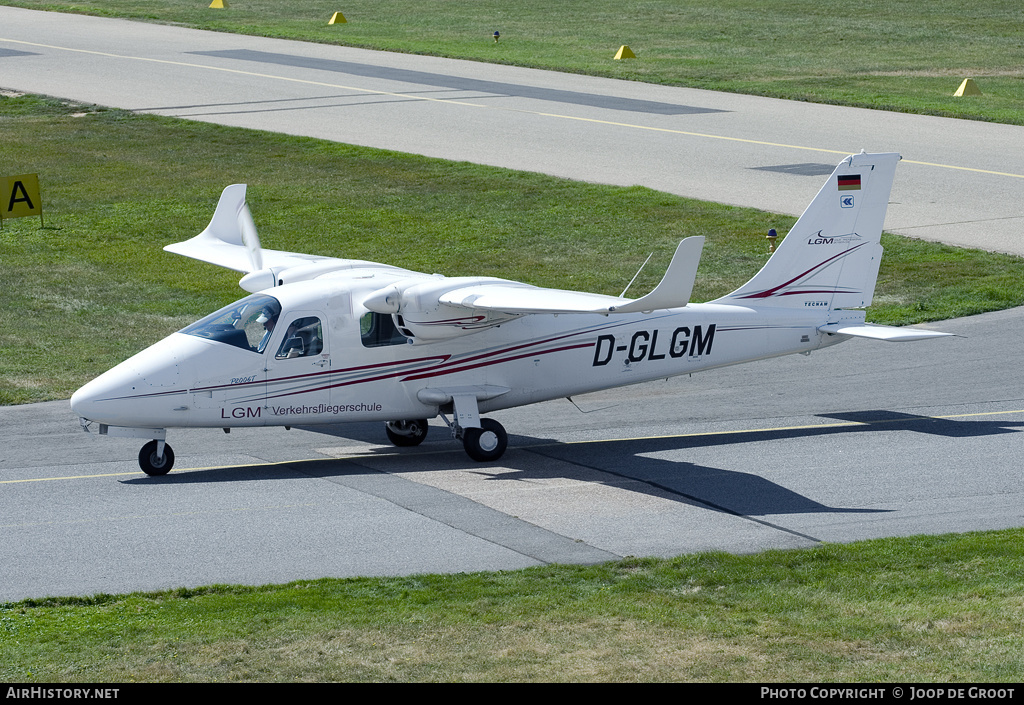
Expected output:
(623, 464)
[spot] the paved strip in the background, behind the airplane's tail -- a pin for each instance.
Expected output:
(961, 182)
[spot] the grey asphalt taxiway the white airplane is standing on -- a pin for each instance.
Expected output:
(865, 440)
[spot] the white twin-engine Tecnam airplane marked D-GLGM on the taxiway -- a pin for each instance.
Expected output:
(325, 341)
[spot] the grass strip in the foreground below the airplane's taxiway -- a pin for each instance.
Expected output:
(944, 609)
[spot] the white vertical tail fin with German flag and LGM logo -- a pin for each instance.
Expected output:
(831, 258)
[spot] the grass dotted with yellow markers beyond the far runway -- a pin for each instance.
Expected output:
(894, 55)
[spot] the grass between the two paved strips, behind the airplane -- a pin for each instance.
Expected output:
(93, 286)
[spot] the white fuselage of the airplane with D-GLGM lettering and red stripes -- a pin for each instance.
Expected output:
(188, 382)
